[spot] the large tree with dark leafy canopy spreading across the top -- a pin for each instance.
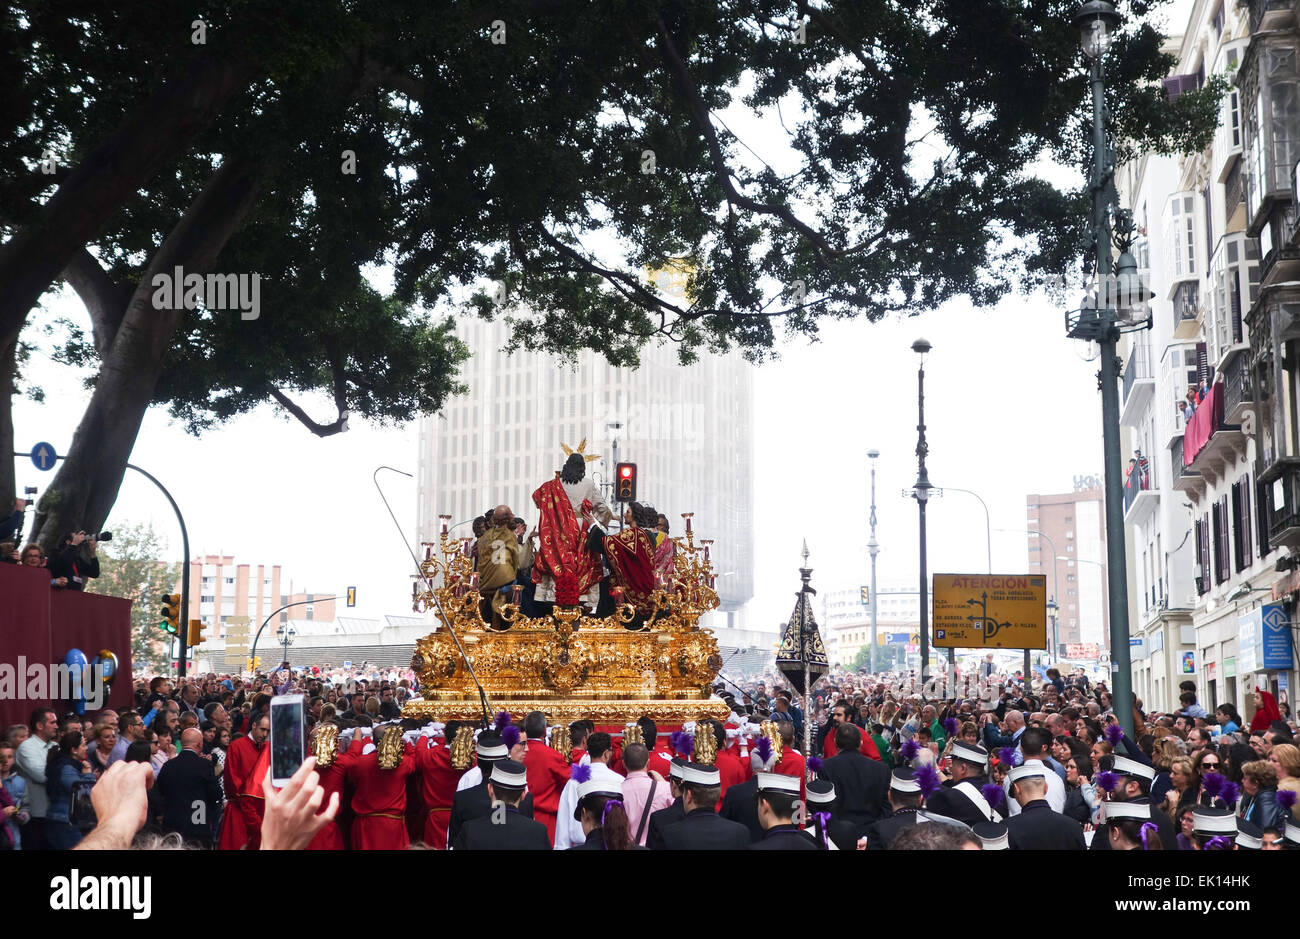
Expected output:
(531, 161)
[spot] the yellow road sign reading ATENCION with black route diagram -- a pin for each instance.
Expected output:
(991, 612)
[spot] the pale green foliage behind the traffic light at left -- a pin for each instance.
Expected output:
(132, 566)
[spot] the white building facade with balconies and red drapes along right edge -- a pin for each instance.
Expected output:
(1204, 536)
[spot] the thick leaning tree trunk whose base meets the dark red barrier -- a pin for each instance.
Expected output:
(89, 479)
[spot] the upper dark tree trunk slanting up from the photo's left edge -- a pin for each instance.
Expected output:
(155, 135)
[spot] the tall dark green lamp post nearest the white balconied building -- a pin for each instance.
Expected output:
(1117, 301)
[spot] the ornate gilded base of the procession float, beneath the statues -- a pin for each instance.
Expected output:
(569, 665)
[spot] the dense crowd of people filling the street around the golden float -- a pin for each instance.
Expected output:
(995, 764)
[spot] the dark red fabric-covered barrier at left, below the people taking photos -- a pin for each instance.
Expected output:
(40, 625)
